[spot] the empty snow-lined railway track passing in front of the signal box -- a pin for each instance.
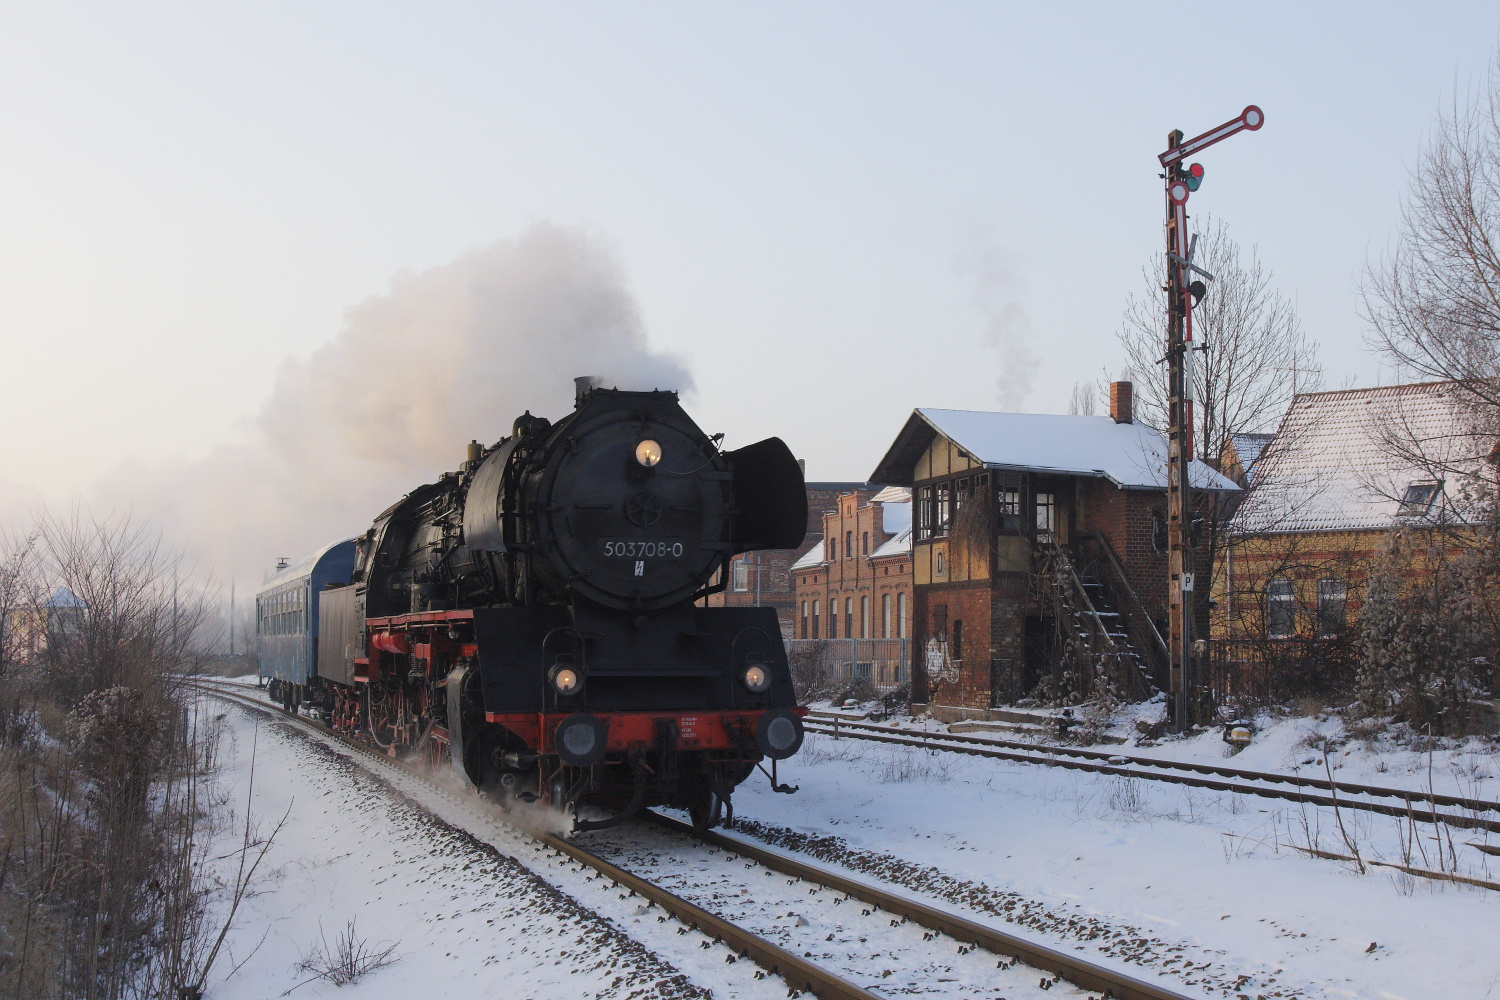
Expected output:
(1421, 807)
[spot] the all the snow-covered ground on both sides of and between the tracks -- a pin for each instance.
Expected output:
(1202, 888)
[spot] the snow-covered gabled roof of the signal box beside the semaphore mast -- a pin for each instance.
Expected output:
(1132, 457)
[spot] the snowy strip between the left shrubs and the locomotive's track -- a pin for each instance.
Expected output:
(475, 912)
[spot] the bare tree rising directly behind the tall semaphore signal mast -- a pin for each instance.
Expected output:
(1258, 355)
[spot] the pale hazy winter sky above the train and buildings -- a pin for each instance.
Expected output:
(832, 214)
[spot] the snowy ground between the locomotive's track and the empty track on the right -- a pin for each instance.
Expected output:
(1153, 875)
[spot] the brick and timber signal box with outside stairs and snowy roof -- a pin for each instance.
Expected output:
(1036, 552)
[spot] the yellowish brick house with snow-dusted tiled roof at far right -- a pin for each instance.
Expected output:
(1342, 473)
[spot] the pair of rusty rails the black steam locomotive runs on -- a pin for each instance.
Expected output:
(800, 972)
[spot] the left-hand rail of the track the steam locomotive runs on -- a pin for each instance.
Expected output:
(799, 974)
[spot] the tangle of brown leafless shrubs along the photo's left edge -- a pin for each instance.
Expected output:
(107, 795)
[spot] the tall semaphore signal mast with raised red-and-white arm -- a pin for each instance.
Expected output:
(1183, 295)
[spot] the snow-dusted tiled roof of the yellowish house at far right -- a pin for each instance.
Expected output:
(1346, 460)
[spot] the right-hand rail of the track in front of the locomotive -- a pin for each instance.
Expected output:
(1076, 971)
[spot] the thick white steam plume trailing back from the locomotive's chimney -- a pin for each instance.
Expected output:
(448, 355)
